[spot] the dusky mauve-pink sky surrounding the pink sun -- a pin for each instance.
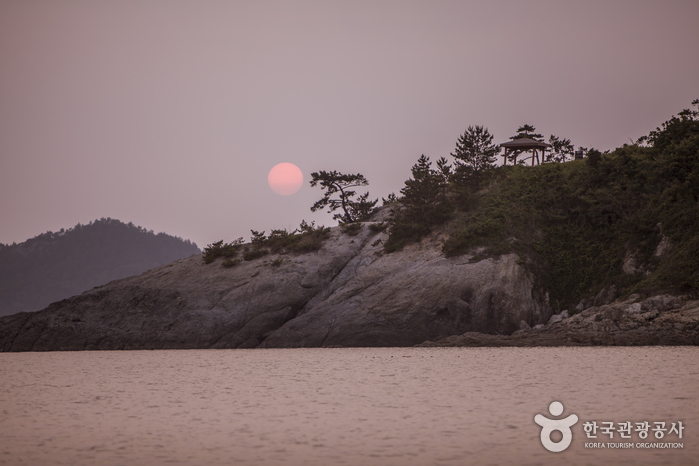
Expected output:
(170, 114)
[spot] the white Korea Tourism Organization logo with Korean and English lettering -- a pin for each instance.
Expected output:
(605, 430)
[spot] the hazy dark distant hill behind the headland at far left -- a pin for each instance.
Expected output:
(54, 266)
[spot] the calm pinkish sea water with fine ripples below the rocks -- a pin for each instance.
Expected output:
(366, 406)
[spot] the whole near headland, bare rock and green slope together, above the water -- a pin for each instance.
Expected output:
(600, 251)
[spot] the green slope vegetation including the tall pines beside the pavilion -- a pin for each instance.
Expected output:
(575, 224)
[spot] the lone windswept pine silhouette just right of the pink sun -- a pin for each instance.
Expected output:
(338, 184)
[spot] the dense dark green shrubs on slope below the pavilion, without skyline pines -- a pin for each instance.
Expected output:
(575, 224)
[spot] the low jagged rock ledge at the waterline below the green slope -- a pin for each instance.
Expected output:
(659, 320)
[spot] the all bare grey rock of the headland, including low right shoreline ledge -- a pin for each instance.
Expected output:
(340, 291)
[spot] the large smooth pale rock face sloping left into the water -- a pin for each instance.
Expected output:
(346, 294)
